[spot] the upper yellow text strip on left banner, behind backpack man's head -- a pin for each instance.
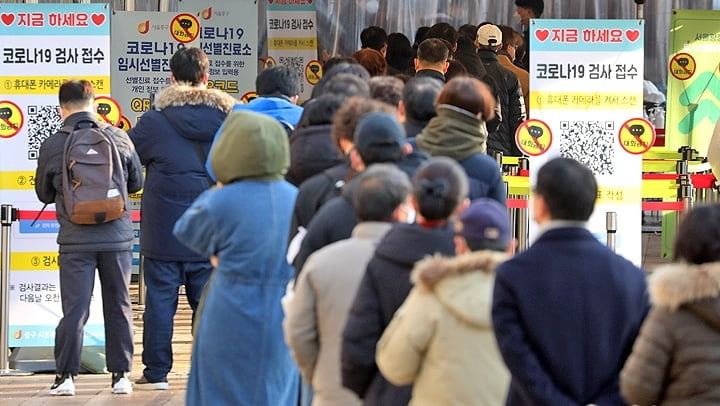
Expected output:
(35, 85)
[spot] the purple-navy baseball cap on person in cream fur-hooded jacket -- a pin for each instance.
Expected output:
(485, 225)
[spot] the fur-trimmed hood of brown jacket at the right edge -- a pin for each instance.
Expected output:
(693, 287)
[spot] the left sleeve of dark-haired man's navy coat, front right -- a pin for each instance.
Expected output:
(519, 357)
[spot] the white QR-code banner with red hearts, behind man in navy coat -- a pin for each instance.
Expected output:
(586, 101)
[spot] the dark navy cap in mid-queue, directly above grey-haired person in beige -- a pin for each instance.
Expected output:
(379, 138)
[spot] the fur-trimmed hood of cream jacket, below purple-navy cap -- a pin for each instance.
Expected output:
(458, 283)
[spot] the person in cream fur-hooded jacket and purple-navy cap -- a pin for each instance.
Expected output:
(441, 339)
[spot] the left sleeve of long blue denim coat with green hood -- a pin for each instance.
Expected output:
(196, 228)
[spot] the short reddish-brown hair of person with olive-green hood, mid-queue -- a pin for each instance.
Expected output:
(469, 94)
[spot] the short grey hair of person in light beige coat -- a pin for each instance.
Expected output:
(378, 191)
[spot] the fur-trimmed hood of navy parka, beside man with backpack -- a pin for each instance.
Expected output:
(191, 123)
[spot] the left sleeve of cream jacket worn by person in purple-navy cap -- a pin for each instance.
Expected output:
(403, 345)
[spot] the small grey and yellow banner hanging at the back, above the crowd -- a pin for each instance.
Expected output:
(292, 40)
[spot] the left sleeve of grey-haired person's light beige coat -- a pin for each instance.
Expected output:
(300, 324)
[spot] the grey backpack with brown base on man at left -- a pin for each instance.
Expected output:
(93, 180)
